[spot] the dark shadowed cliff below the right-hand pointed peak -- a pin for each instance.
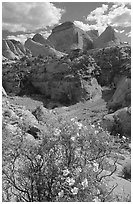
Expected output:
(113, 62)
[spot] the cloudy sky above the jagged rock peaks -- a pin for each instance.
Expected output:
(21, 20)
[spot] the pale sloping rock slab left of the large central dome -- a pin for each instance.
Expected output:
(41, 49)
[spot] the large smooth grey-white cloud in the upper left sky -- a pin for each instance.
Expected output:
(29, 16)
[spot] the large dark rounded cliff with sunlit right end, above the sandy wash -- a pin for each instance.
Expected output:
(65, 81)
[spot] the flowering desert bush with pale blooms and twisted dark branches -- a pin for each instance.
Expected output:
(64, 166)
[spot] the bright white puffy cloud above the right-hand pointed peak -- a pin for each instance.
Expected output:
(117, 15)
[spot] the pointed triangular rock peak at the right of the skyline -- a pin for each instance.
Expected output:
(107, 38)
